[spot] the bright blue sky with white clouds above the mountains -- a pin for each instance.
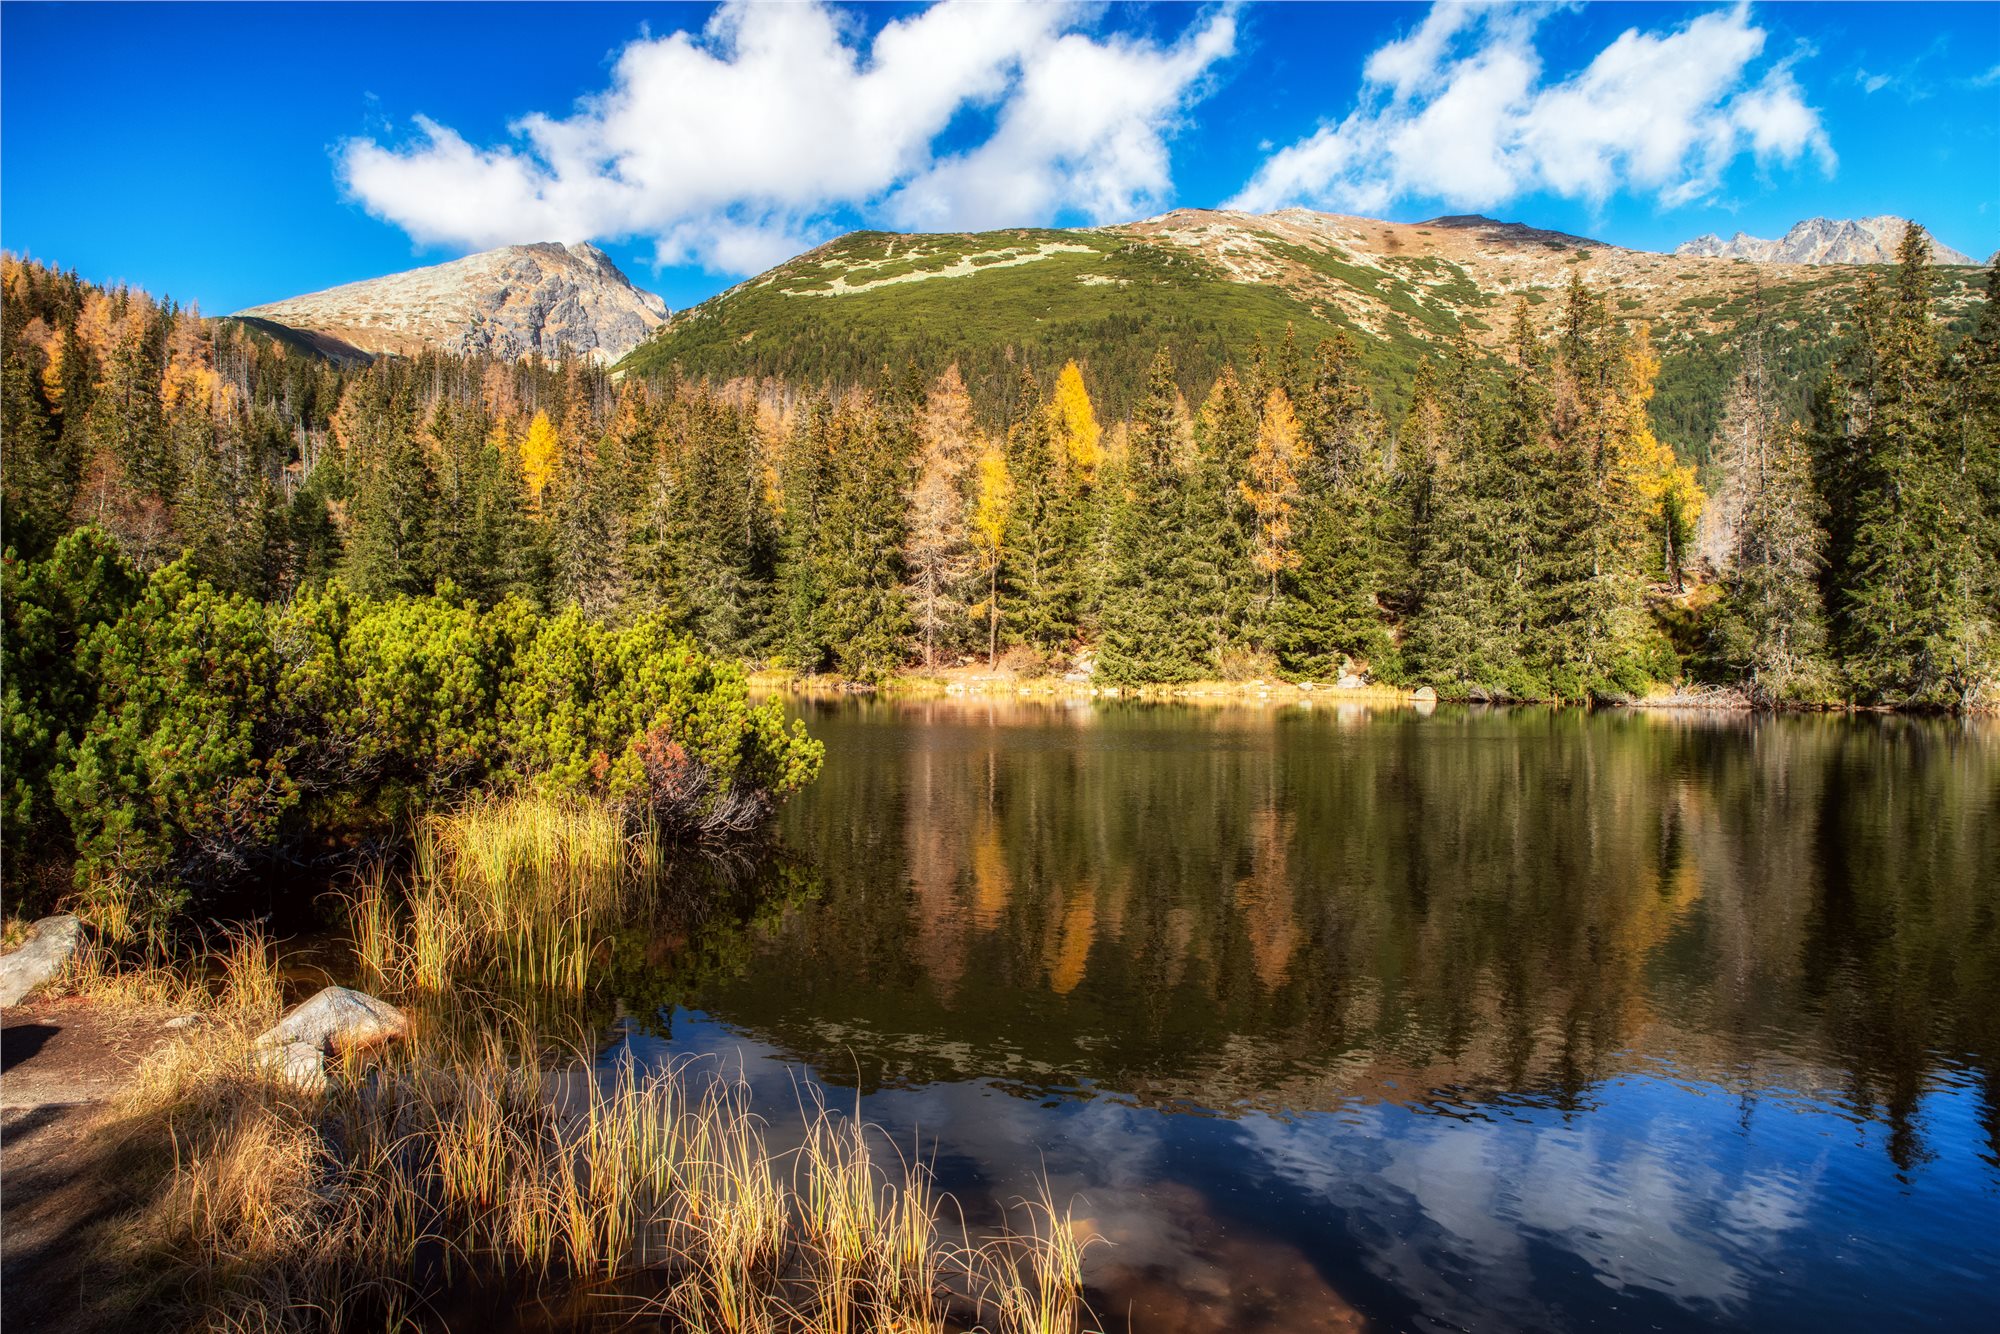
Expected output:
(233, 155)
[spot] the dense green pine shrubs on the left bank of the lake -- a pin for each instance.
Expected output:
(185, 733)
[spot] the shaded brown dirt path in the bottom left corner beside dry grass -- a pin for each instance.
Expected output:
(61, 1063)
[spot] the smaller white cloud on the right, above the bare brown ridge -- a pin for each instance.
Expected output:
(1461, 113)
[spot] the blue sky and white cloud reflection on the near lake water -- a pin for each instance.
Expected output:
(1659, 1203)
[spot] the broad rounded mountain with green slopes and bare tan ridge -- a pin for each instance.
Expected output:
(1207, 285)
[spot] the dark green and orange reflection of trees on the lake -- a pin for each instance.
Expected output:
(1295, 911)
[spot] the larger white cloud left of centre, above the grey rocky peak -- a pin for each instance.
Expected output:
(737, 147)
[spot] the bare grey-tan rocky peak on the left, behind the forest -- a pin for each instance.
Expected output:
(509, 303)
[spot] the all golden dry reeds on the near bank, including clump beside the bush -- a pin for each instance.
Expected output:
(475, 1155)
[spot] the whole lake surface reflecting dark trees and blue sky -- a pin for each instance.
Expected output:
(1365, 1019)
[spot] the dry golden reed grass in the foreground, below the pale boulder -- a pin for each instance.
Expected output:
(455, 1165)
